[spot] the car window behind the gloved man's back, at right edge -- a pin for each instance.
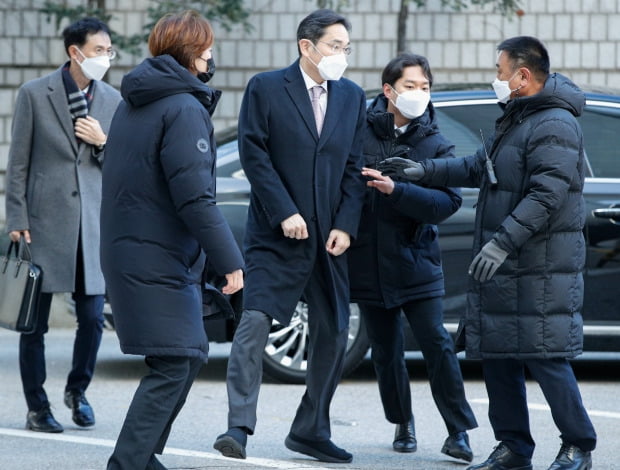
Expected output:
(600, 126)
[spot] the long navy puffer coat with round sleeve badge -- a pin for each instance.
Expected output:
(158, 211)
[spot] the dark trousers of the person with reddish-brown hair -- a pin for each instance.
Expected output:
(155, 405)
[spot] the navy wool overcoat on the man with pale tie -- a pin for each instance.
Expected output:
(293, 170)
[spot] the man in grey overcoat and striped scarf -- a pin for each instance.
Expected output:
(53, 198)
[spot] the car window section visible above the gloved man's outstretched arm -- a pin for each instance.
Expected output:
(461, 125)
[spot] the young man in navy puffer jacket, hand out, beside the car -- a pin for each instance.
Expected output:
(395, 263)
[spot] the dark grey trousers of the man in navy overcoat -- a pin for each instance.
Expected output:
(325, 362)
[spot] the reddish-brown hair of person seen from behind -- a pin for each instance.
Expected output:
(183, 35)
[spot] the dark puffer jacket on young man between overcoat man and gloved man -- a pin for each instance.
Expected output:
(395, 257)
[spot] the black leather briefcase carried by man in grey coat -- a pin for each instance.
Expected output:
(20, 286)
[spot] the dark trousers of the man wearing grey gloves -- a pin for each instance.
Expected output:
(508, 413)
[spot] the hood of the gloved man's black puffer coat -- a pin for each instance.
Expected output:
(558, 92)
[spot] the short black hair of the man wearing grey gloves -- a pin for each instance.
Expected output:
(527, 51)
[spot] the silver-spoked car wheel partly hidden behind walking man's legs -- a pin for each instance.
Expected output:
(286, 353)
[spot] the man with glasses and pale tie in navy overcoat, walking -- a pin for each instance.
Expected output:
(300, 143)
